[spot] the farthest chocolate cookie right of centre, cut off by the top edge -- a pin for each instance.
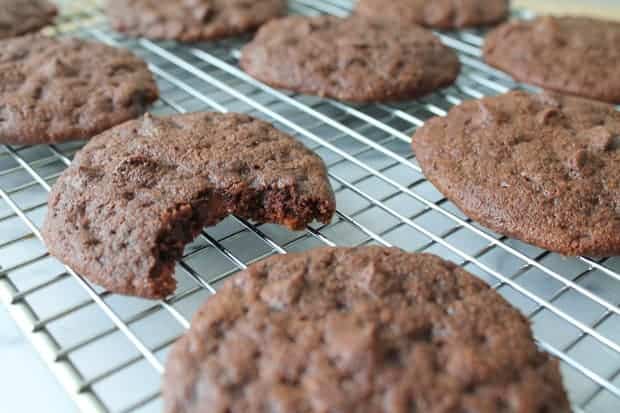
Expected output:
(442, 14)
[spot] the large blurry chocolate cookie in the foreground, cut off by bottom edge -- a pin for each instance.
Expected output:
(365, 330)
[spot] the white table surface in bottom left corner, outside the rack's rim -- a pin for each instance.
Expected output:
(26, 385)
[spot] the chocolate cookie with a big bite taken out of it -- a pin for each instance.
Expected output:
(122, 213)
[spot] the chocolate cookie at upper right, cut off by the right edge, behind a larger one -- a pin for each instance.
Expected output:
(575, 55)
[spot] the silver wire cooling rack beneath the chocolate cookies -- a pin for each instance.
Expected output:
(108, 351)
